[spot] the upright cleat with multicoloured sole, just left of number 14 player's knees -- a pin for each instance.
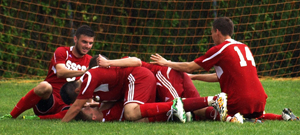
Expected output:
(220, 105)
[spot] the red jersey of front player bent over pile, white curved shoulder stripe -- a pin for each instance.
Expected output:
(107, 83)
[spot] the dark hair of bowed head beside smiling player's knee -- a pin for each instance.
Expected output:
(67, 92)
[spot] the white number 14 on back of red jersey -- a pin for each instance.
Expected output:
(249, 56)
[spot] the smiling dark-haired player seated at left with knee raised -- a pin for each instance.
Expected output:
(67, 64)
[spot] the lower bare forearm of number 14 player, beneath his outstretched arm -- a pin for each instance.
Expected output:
(204, 77)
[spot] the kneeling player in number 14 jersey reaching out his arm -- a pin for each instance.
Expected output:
(235, 70)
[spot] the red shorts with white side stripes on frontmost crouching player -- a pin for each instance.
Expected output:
(140, 87)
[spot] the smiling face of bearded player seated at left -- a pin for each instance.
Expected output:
(83, 44)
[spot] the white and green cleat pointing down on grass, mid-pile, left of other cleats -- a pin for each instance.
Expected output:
(177, 111)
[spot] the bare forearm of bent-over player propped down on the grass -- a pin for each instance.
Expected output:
(74, 109)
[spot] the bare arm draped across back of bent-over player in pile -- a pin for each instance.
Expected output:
(125, 62)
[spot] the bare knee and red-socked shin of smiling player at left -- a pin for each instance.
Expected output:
(41, 91)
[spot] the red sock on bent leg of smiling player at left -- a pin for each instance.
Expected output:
(26, 102)
